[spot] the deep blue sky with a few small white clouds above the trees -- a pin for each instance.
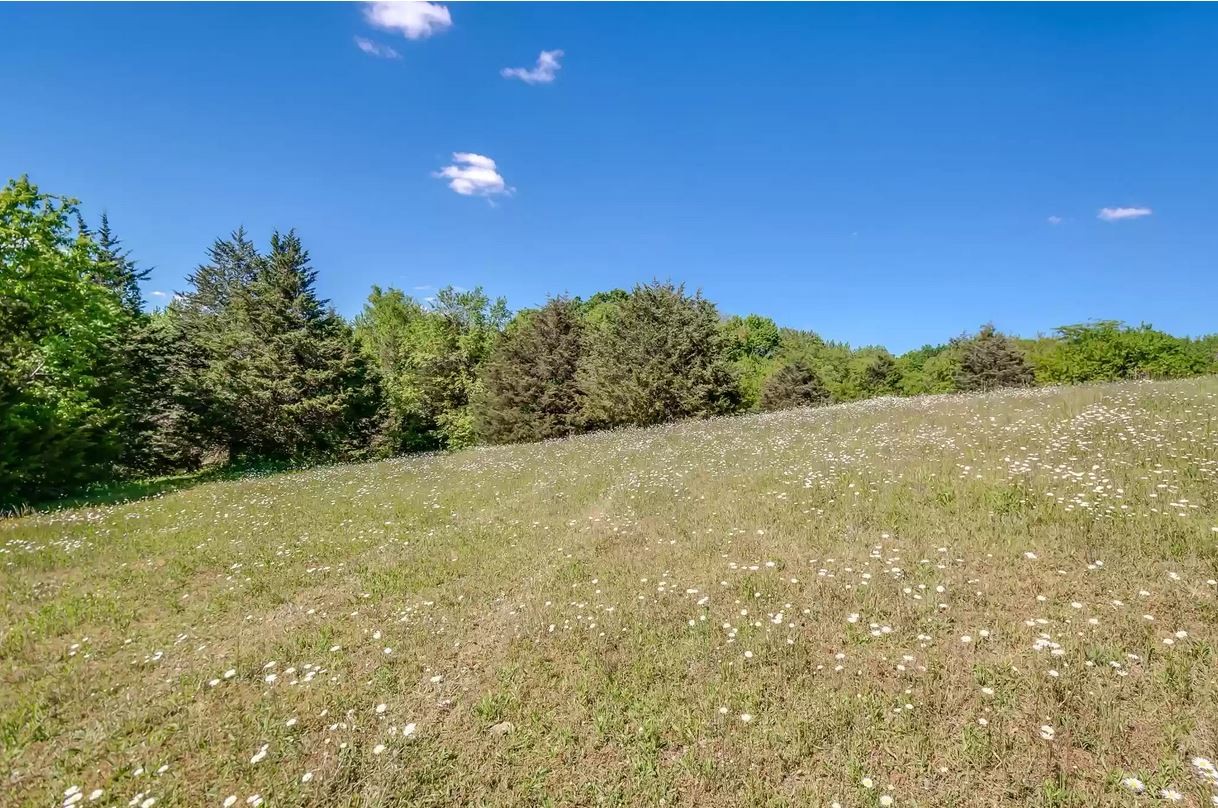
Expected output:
(878, 174)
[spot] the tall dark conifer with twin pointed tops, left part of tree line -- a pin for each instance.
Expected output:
(265, 370)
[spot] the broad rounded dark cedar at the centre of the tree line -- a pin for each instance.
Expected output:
(662, 356)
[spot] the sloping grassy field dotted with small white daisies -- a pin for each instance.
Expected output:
(1002, 600)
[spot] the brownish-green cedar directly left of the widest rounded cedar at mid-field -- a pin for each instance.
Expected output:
(529, 382)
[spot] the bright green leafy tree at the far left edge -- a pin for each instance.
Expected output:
(62, 327)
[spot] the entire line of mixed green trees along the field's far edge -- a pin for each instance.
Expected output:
(249, 365)
